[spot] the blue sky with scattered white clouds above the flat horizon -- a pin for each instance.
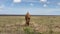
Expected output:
(34, 7)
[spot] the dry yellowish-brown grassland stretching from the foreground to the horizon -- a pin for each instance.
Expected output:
(38, 25)
